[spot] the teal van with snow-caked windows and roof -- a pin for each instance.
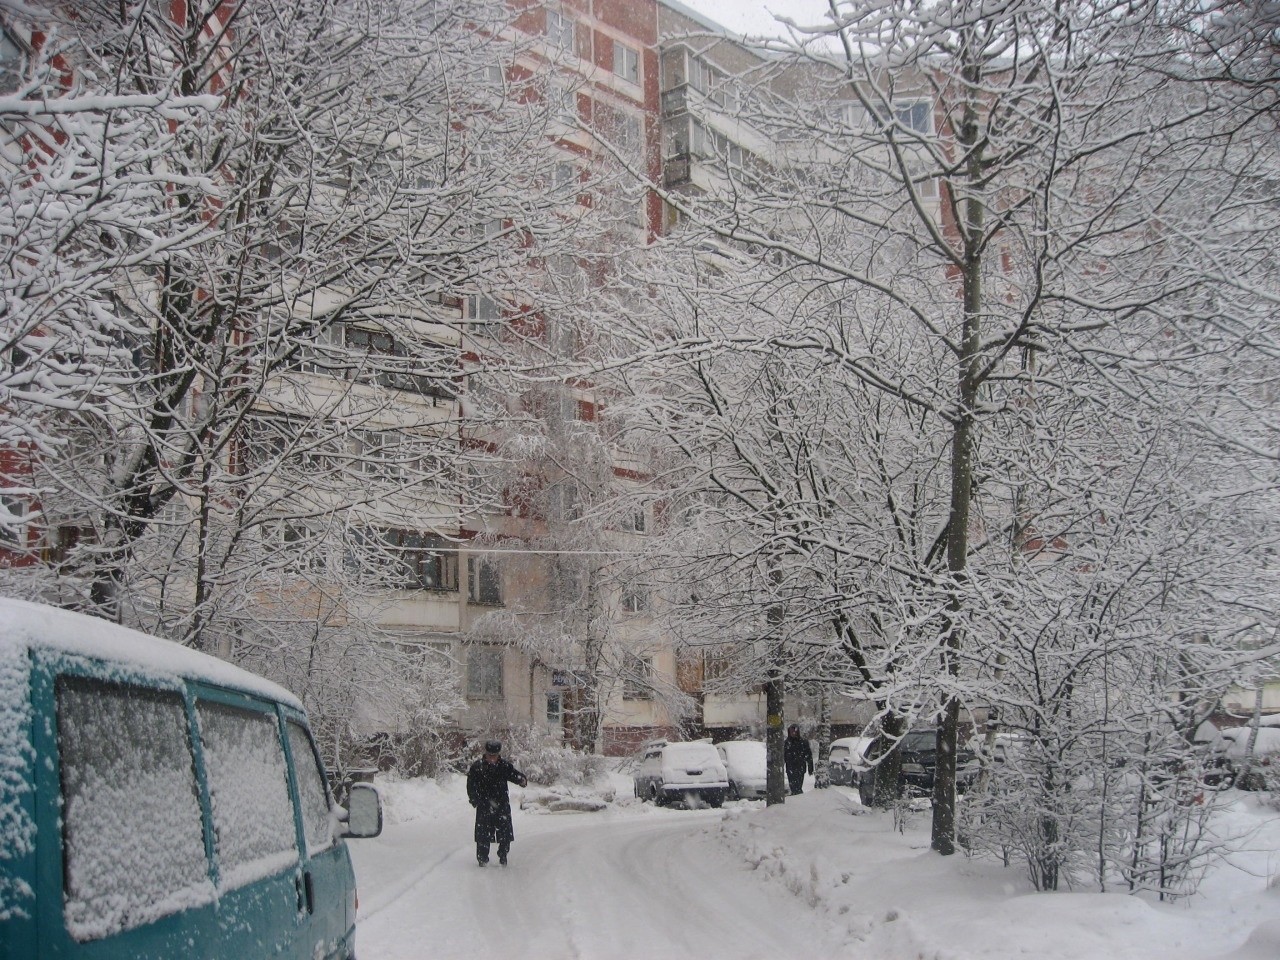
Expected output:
(157, 803)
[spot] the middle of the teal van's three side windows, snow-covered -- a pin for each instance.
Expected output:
(249, 787)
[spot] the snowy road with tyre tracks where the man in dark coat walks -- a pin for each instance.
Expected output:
(636, 883)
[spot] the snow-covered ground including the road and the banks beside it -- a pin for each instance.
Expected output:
(816, 877)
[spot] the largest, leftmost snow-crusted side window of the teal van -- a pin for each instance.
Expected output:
(134, 844)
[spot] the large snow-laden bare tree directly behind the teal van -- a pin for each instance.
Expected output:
(269, 447)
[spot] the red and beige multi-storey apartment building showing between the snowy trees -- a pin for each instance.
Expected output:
(536, 630)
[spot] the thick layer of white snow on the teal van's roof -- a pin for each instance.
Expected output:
(38, 627)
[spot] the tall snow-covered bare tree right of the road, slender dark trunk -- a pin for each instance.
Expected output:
(1032, 243)
